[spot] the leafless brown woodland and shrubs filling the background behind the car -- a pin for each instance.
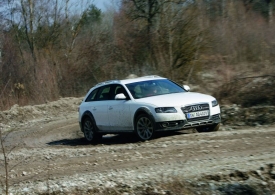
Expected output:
(49, 50)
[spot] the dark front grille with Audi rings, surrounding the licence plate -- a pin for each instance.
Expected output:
(196, 108)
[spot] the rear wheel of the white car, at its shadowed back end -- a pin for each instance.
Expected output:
(89, 130)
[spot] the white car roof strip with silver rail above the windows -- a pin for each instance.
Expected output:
(131, 80)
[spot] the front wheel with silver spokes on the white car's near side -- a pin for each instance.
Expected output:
(144, 127)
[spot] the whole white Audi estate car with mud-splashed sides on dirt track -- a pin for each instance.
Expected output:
(144, 106)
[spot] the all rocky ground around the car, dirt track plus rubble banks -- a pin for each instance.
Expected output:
(48, 155)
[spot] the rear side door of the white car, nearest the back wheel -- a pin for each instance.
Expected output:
(100, 106)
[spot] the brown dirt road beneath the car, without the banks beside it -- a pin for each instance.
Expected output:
(54, 157)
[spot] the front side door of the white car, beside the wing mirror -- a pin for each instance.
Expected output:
(119, 115)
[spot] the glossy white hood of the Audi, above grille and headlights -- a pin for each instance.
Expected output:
(177, 99)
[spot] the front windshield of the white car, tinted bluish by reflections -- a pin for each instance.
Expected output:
(153, 87)
